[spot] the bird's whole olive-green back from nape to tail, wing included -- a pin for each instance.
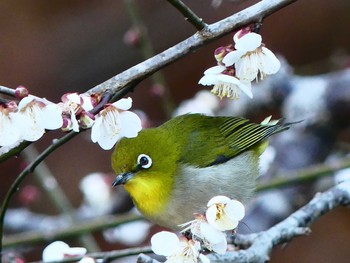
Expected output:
(212, 140)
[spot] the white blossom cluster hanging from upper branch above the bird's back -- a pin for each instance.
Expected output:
(239, 65)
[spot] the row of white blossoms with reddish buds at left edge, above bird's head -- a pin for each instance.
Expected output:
(28, 119)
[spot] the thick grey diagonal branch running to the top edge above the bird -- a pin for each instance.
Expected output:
(214, 31)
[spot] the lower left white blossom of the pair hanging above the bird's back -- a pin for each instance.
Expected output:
(225, 84)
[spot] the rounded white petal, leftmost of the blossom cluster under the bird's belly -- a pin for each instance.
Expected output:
(165, 243)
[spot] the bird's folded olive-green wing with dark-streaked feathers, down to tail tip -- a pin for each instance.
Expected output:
(225, 138)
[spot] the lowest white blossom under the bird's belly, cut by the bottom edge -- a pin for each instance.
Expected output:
(176, 250)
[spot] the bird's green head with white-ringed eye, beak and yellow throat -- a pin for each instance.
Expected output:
(146, 166)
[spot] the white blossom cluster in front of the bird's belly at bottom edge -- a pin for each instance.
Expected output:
(207, 232)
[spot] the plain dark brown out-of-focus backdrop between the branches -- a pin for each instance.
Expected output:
(54, 47)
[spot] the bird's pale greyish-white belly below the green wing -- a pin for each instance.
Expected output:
(192, 193)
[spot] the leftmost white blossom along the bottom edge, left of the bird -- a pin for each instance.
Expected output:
(59, 250)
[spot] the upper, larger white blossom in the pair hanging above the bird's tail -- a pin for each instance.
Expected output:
(251, 57)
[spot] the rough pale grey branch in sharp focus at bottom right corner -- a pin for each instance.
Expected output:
(296, 224)
